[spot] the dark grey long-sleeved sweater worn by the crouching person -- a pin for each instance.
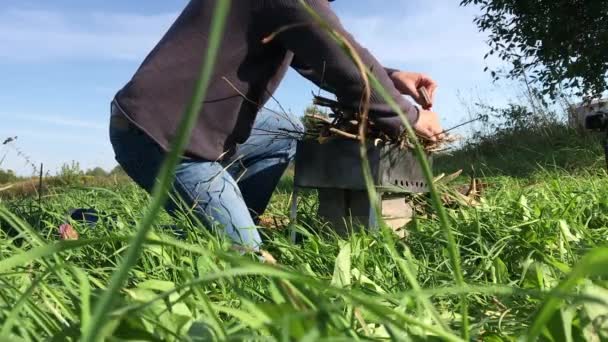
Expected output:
(156, 97)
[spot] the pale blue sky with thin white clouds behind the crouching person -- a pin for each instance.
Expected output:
(61, 62)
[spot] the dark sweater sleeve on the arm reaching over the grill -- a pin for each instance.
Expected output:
(318, 57)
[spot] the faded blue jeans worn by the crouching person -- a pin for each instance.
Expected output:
(229, 195)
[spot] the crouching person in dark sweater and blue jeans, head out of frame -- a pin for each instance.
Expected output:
(236, 157)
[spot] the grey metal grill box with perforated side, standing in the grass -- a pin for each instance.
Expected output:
(334, 168)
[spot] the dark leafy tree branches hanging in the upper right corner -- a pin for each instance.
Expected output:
(556, 43)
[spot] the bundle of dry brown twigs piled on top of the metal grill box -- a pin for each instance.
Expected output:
(344, 123)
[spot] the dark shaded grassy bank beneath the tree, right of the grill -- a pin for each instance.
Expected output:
(522, 153)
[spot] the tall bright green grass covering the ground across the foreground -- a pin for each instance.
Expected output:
(533, 254)
